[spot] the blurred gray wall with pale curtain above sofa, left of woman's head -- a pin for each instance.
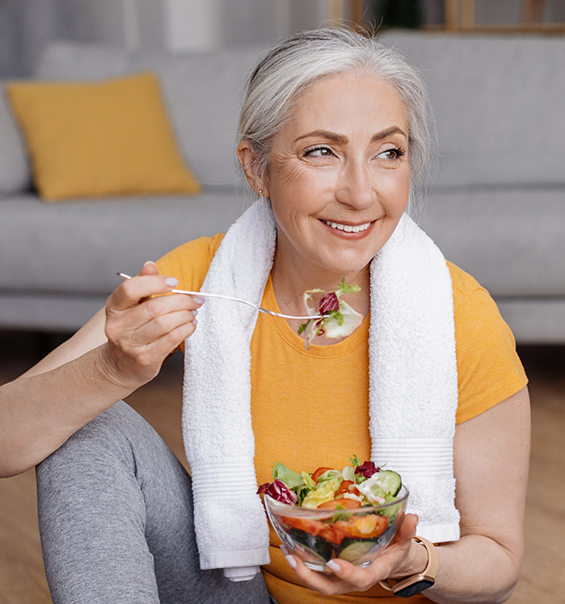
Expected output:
(27, 25)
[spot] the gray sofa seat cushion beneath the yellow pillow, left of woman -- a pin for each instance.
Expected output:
(78, 247)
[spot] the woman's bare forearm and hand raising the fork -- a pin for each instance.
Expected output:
(121, 348)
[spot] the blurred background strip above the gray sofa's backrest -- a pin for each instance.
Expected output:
(26, 26)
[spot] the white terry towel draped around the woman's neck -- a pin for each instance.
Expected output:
(413, 395)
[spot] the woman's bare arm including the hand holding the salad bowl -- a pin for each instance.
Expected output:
(491, 457)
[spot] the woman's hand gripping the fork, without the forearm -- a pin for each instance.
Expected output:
(144, 327)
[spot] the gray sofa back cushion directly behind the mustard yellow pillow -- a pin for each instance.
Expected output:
(203, 91)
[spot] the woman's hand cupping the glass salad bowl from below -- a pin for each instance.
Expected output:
(403, 557)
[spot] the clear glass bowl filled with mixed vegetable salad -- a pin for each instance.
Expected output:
(351, 513)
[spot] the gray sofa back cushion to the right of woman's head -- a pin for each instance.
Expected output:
(498, 102)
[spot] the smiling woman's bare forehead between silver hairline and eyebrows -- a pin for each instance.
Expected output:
(349, 100)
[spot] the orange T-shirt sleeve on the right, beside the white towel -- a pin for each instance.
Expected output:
(489, 369)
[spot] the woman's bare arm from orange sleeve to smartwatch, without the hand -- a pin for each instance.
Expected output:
(492, 453)
